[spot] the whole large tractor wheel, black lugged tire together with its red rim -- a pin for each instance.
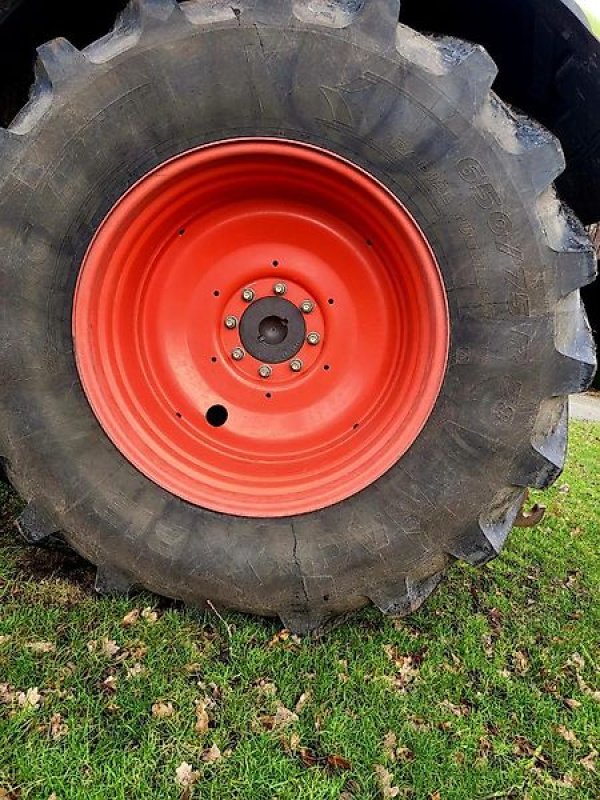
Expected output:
(452, 267)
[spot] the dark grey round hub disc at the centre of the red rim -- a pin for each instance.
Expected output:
(272, 330)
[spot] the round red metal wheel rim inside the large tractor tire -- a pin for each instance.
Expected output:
(168, 267)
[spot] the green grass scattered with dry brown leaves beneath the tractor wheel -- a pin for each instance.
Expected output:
(488, 692)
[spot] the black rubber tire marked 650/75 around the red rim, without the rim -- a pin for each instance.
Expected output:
(416, 113)
